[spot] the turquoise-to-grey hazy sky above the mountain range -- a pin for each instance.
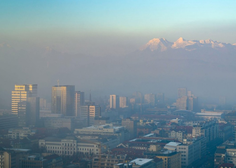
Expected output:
(101, 27)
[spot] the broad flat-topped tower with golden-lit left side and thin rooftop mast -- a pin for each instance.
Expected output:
(63, 100)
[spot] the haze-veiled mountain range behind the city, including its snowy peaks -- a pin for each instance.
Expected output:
(206, 67)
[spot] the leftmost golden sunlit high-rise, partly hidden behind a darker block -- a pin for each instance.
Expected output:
(21, 93)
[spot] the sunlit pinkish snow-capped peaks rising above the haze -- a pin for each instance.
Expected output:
(161, 44)
